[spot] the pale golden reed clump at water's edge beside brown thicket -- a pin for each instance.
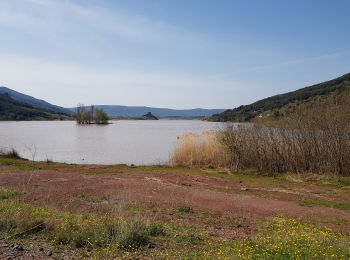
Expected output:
(200, 150)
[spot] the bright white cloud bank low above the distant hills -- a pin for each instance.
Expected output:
(67, 84)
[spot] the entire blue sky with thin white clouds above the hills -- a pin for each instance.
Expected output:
(170, 53)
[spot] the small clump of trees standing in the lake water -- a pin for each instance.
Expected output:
(90, 115)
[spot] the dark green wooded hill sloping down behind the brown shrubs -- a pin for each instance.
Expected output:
(285, 104)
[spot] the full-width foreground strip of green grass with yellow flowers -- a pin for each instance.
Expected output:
(112, 236)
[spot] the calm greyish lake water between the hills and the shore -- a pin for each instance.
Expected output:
(137, 142)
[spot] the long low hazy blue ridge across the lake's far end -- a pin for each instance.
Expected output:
(128, 111)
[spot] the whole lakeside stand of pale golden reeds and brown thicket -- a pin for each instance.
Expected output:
(314, 139)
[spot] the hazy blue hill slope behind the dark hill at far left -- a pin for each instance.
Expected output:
(17, 96)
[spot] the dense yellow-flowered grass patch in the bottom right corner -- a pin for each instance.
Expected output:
(282, 238)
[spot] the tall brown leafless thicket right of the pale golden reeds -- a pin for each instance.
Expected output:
(316, 139)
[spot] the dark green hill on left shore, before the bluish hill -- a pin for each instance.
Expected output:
(15, 110)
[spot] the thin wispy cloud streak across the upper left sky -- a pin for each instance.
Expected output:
(53, 17)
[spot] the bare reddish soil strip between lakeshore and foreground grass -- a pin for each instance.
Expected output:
(74, 191)
